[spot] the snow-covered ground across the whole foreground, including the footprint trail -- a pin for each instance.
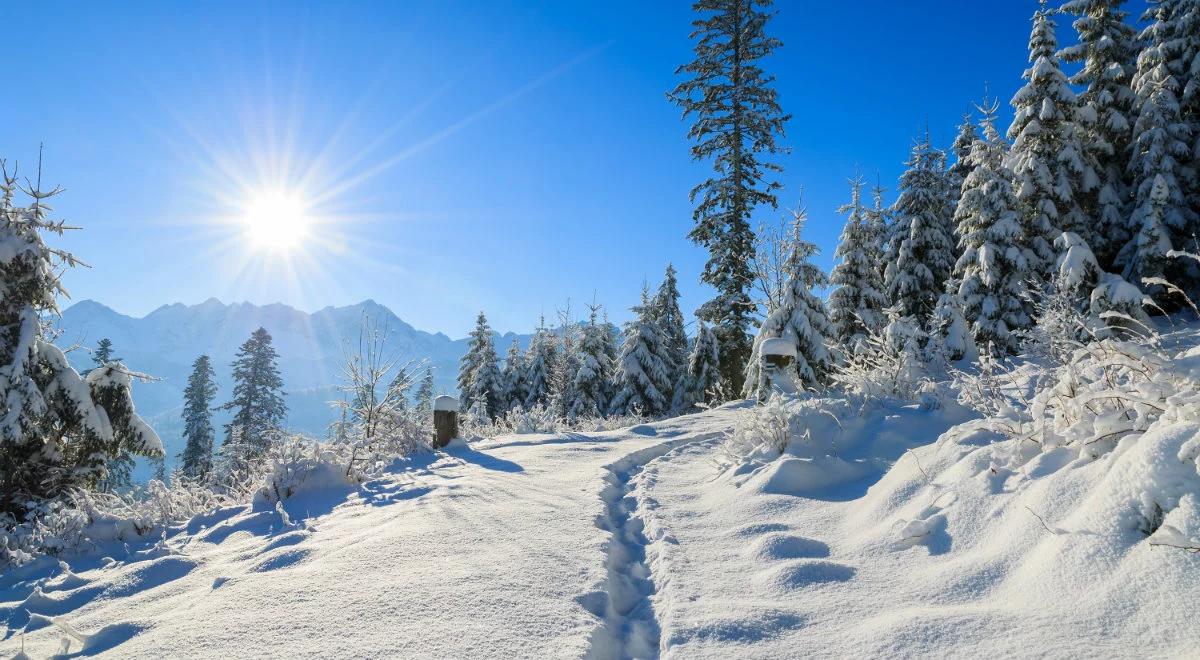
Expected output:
(903, 531)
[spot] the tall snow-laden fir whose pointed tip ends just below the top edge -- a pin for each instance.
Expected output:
(1053, 175)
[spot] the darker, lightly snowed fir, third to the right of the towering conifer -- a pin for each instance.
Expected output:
(922, 254)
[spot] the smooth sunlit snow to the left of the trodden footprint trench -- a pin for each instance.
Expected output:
(491, 551)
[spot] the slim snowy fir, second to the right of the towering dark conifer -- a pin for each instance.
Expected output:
(856, 305)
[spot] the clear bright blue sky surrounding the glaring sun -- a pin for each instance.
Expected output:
(455, 155)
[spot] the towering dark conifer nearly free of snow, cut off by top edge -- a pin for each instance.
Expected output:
(737, 122)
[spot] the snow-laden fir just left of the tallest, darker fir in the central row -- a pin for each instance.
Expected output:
(643, 380)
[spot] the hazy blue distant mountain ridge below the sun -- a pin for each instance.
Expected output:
(165, 343)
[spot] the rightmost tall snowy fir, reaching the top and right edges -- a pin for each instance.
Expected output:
(1161, 166)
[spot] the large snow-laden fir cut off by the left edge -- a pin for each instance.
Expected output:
(58, 430)
